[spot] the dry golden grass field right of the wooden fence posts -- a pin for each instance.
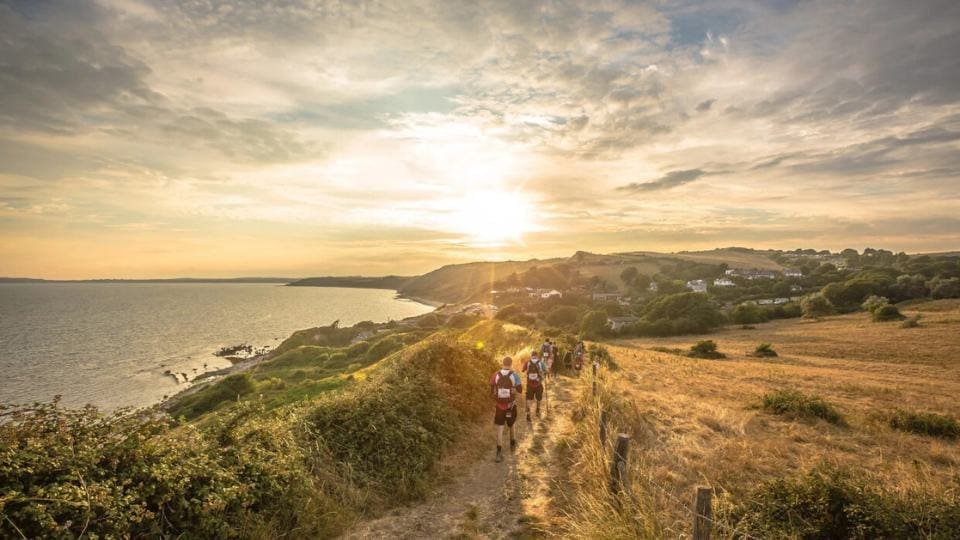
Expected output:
(699, 423)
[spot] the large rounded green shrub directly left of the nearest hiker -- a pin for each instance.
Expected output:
(390, 432)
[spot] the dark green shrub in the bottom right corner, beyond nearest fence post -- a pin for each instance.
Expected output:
(833, 503)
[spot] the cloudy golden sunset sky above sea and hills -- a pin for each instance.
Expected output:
(301, 137)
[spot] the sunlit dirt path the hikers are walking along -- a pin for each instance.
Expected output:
(489, 500)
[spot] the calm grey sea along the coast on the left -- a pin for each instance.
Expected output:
(110, 343)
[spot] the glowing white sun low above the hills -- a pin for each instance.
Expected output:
(493, 218)
